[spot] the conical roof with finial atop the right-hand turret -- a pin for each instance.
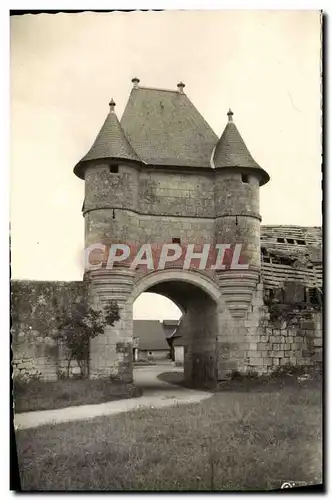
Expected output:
(231, 151)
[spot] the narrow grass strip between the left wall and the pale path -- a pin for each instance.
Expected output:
(38, 395)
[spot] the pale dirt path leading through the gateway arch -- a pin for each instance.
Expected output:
(156, 394)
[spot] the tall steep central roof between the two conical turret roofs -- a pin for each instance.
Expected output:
(165, 128)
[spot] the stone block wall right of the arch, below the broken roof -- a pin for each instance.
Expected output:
(266, 342)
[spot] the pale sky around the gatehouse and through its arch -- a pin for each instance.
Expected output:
(265, 65)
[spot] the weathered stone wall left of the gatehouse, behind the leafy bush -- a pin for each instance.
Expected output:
(35, 306)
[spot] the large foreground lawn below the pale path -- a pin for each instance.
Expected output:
(236, 440)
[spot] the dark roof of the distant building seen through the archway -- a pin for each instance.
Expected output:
(150, 334)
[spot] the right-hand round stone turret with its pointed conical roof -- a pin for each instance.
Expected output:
(238, 178)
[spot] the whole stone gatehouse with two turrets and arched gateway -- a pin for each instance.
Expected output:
(162, 176)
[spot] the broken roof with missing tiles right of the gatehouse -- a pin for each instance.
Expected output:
(291, 253)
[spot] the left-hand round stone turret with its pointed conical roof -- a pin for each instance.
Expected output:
(110, 172)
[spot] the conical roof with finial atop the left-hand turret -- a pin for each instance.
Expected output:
(110, 143)
